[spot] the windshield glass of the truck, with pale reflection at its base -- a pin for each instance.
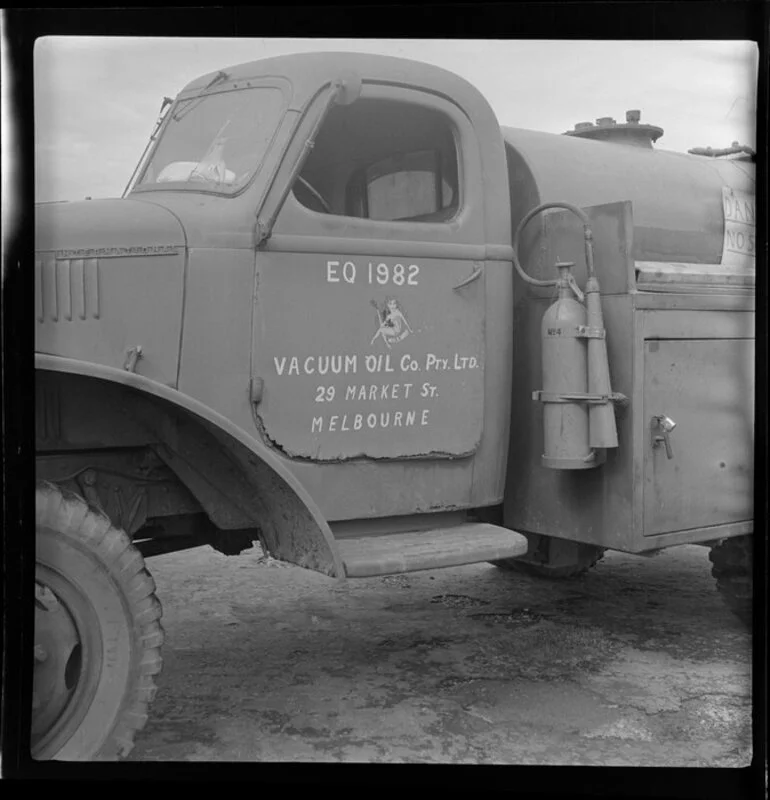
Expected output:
(215, 142)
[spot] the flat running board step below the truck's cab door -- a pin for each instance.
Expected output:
(432, 549)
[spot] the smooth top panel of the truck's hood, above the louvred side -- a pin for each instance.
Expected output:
(101, 225)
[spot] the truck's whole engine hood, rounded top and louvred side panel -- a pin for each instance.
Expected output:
(109, 278)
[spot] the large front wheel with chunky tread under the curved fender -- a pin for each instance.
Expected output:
(97, 633)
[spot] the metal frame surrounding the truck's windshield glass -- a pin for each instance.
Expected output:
(193, 98)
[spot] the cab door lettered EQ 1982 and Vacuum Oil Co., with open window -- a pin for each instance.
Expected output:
(370, 302)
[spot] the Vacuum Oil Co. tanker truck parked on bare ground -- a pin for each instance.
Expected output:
(342, 312)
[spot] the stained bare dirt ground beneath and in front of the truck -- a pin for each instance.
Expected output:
(635, 663)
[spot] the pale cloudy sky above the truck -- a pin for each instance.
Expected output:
(97, 98)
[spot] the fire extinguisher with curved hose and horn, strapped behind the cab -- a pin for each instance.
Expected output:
(578, 413)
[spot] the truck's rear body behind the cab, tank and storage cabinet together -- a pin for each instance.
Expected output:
(676, 244)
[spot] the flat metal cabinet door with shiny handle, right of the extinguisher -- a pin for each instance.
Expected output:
(704, 477)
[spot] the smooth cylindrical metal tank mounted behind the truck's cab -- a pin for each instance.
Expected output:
(677, 198)
